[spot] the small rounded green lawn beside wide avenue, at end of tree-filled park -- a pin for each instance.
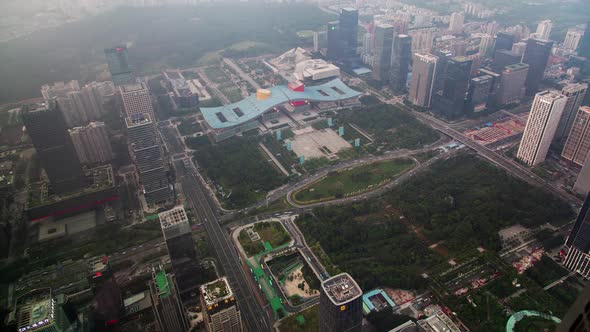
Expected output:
(271, 232)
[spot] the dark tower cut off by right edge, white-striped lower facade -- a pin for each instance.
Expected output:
(577, 245)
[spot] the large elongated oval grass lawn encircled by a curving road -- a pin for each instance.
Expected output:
(352, 181)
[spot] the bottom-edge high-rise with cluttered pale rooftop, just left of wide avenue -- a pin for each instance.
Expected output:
(220, 312)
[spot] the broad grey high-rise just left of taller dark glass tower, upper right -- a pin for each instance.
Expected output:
(512, 84)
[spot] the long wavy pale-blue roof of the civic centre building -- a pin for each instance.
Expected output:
(250, 108)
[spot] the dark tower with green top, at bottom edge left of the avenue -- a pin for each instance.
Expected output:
(168, 309)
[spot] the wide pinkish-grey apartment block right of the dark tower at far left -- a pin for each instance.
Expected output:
(92, 143)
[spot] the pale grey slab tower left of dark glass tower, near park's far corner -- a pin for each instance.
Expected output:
(423, 71)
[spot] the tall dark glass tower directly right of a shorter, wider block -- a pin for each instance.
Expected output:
(536, 56)
